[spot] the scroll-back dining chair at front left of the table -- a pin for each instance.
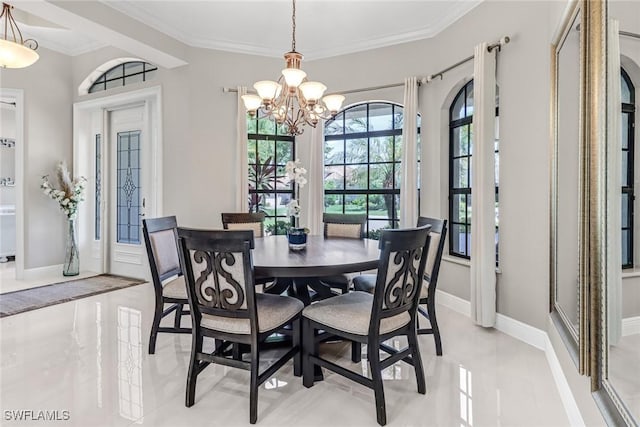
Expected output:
(224, 306)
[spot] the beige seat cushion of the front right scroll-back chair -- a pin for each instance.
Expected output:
(351, 313)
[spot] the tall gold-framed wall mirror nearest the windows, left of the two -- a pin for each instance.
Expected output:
(568, 185)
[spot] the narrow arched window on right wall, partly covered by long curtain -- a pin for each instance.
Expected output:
(460, 167)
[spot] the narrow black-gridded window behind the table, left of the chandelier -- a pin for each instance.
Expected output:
(269, 150)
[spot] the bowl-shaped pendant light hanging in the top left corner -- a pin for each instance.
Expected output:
(14, 51)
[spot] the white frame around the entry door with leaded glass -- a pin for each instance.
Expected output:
(93, 253)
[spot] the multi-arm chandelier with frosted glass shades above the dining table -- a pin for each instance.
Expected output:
(292, 100)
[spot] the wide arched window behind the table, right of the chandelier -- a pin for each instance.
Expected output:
(362, 154)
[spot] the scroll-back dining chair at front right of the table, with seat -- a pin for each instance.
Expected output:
(373, 319)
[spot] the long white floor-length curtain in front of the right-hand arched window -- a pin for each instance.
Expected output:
(483, 248)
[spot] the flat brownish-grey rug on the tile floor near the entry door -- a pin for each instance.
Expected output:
(30, 299)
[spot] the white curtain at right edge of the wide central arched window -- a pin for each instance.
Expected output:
(409, 178)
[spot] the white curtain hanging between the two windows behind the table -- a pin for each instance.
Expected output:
(314, 203)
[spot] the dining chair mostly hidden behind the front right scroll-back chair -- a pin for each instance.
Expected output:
(366, 282)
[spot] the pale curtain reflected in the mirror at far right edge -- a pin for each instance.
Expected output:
(614, 185)
